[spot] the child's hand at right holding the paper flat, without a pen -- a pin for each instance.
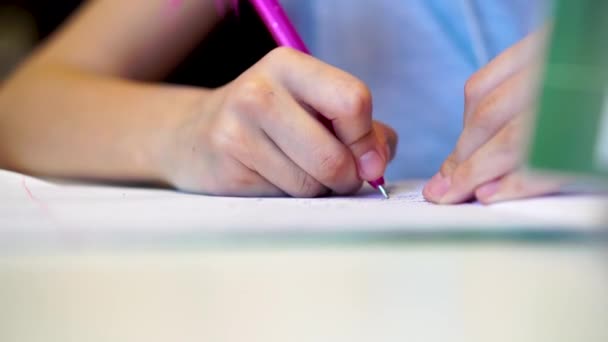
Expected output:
(486, 162)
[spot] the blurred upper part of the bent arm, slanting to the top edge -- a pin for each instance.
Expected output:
(136, 39)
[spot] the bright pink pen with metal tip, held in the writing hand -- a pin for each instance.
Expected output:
(284, 33)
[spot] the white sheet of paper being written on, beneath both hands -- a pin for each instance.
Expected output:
(31, 207)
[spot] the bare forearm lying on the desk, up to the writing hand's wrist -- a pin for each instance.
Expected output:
(63, 122)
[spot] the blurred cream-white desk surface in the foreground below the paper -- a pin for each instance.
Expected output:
(414, 292)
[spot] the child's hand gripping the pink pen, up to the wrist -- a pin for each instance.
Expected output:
(260, 135)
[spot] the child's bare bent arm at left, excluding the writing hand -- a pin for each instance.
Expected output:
(69, 111)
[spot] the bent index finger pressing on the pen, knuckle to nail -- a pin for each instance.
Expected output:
(340, 98)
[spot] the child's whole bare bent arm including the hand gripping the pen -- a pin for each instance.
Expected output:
(77, 109)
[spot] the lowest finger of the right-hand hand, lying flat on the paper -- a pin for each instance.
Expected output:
(517, 185)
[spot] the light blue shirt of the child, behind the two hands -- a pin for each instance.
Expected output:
(415, 55)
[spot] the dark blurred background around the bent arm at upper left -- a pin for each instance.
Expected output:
(25, 23)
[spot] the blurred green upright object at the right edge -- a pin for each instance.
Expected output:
(574, 90)
